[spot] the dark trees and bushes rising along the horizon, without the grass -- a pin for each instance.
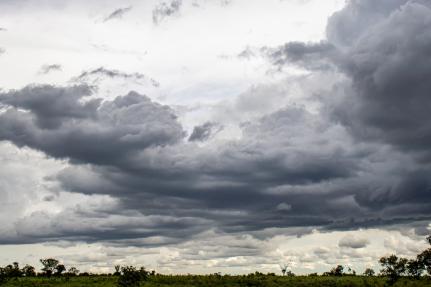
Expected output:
(393, 268)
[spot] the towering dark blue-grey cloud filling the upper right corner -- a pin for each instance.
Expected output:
(389, 99)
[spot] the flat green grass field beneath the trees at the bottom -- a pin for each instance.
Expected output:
(215, 280)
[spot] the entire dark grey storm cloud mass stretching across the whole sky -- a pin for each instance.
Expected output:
(360, 160)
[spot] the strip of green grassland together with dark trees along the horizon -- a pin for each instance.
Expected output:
(395, 272)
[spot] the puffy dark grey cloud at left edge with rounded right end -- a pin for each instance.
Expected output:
(57, 122)
